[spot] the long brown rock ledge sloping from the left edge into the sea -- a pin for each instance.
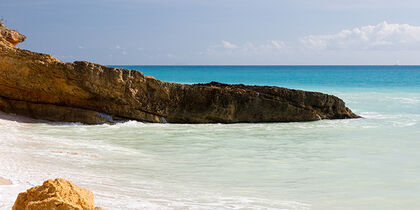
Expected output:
(42, 87)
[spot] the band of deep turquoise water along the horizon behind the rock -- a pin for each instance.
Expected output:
(304, 77)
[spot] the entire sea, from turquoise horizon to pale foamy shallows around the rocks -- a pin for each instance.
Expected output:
(368, 163)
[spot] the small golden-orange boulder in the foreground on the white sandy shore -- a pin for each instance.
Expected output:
(57, 194)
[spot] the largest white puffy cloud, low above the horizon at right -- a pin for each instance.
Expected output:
(382, 36)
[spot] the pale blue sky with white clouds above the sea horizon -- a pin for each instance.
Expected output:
(220, 32)
